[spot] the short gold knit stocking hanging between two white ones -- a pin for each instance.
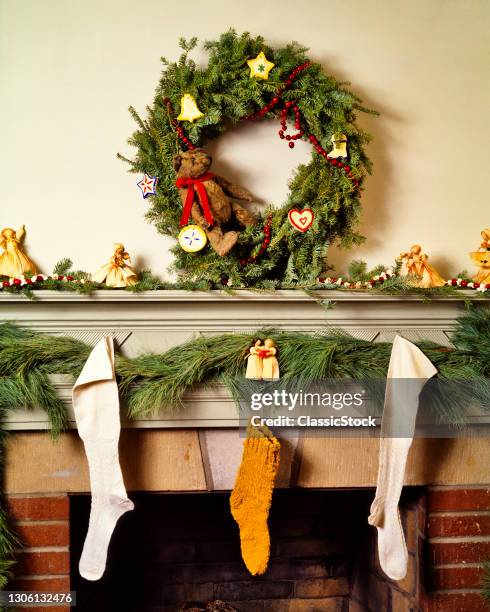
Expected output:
(251, 498)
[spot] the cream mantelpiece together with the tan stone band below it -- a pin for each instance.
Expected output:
(198, 447)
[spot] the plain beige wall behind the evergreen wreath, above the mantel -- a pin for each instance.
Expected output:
(69, 69)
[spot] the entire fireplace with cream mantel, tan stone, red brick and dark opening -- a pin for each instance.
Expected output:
(180, 544)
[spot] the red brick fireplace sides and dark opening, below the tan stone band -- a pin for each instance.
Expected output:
(182, 548)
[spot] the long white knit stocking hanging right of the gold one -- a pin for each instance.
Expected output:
(408, 371)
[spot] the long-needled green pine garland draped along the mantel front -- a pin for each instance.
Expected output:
(150, 383)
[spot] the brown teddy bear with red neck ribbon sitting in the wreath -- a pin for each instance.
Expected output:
(205, 200)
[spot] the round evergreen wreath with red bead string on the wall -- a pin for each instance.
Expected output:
(271, 254)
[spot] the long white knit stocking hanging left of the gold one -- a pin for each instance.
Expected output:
(96, 406)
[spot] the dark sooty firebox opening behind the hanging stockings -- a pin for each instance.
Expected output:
(180, 551)
